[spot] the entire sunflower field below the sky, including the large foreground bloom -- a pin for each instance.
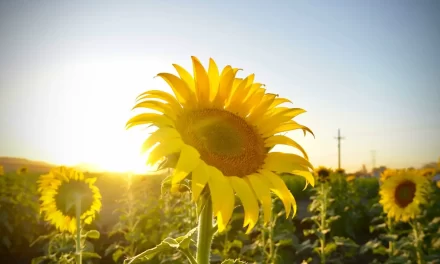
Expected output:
(222, 192)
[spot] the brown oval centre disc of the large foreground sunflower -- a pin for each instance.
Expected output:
(224, 140)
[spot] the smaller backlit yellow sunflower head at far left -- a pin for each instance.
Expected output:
(59, 190)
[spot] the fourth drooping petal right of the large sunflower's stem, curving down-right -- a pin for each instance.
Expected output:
(277, 186)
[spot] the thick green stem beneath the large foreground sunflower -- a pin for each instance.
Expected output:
(204, 238)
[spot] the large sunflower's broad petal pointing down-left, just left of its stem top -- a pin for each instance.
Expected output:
(189, 159)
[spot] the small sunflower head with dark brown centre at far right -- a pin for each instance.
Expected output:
(402, 193)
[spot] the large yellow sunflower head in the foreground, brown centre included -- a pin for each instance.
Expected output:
(222, 128)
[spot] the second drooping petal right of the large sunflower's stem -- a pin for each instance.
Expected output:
(248, 199)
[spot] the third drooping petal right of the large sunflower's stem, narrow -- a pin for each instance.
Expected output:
(263, 194)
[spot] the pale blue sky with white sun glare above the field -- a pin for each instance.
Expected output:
(71, 70)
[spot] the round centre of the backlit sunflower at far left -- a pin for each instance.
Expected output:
(66, 197)
